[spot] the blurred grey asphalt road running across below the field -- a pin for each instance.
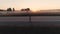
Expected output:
(35, 21)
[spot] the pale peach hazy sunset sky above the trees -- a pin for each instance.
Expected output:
(33, 4)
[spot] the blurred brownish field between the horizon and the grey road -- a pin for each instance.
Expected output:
(24, 13)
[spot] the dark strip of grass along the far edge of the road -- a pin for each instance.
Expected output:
(33, 14)
